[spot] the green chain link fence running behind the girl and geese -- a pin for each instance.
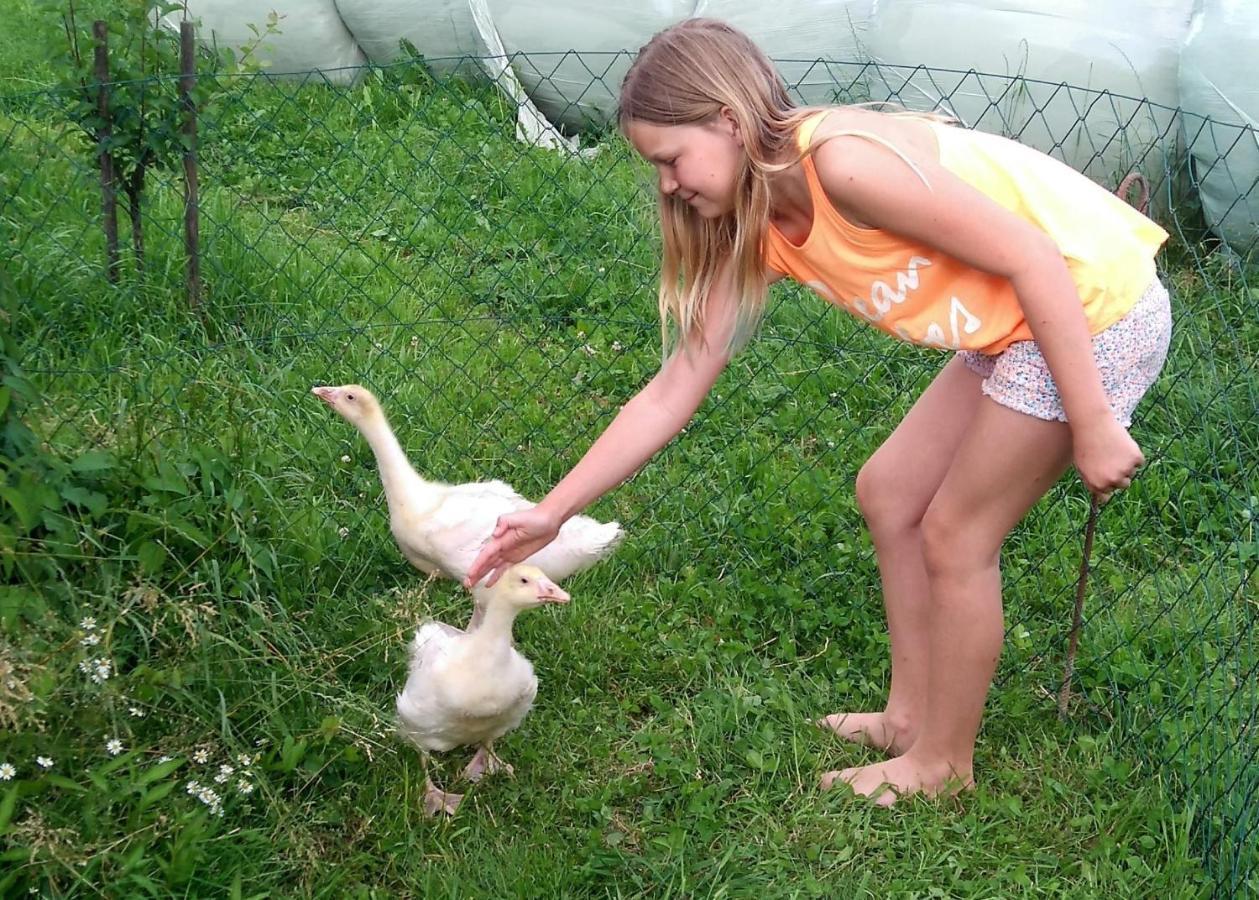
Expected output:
(499, 299)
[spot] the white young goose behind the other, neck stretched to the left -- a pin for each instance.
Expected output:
(441, 528)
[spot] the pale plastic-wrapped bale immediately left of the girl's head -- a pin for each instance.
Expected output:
(579, 89)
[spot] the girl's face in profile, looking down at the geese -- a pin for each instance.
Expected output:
(698, 164)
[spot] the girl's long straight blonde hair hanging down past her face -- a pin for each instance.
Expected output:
(688, 75)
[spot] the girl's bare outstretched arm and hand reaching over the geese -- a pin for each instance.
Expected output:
(645, 425)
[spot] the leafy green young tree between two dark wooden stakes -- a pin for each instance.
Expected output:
(147, 113)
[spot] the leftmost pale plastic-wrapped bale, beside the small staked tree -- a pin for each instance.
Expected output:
(310, 36)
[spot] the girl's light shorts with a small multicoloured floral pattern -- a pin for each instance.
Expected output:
(1130, 356)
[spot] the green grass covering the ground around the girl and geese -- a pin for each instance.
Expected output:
(500, 301)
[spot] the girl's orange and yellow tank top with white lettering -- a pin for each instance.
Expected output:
(918, 294)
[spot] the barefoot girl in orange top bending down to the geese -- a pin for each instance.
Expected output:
(1042, 281)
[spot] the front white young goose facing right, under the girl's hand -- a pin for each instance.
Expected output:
(473, 688)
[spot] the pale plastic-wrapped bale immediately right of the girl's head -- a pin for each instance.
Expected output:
(798, 35)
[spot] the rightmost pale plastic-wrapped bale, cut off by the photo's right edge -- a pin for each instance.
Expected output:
(1221, 82)
